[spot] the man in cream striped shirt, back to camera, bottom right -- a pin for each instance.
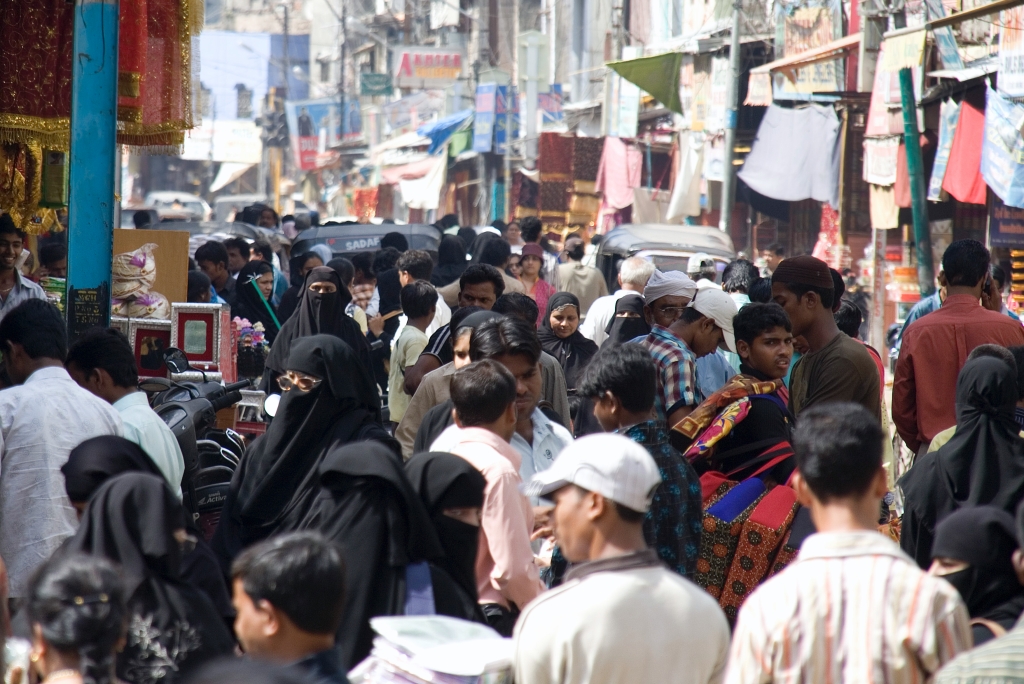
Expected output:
(852, 609)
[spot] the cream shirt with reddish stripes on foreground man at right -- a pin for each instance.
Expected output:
(851, 610)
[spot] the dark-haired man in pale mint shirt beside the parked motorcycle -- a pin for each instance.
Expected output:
(102, 362)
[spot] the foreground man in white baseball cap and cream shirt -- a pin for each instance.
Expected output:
(622, 617)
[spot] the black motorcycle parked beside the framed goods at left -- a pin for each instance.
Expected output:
(190, 409)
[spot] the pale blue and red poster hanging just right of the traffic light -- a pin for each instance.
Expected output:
(313, 125)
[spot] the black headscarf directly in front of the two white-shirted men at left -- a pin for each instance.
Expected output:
(96, 461)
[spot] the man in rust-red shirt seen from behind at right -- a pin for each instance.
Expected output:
(935, 348)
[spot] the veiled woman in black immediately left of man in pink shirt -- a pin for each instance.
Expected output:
(452, 491)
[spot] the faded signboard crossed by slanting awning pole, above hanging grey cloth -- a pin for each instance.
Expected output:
(803, 26)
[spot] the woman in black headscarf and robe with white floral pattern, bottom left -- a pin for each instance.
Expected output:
(174, 628)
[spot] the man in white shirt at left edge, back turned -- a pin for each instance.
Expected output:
(41, 420)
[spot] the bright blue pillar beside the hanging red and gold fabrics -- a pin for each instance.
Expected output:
(94, 151)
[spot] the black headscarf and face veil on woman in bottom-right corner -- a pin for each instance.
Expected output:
(986, 538)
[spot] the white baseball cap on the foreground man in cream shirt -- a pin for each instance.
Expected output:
(611, 465)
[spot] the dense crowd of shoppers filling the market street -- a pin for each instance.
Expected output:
(692, 479)
